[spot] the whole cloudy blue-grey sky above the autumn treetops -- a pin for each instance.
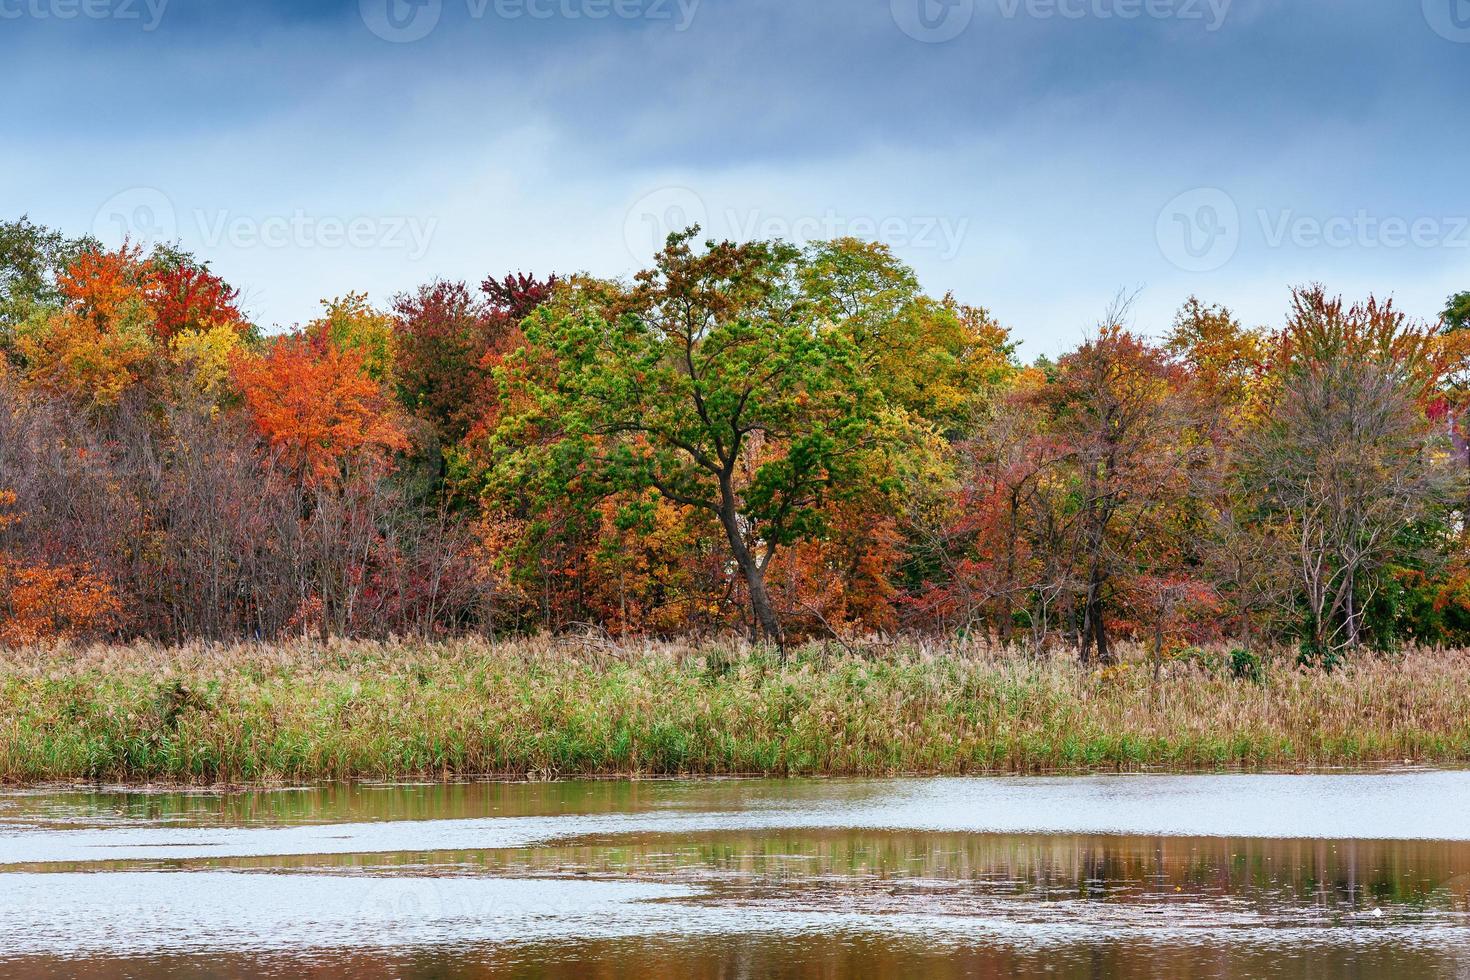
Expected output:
(1037, 158)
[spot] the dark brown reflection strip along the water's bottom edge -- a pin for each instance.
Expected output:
(806, 957)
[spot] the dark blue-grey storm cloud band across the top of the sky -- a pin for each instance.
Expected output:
(724, 82)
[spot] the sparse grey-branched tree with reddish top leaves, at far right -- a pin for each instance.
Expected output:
(1349, 462)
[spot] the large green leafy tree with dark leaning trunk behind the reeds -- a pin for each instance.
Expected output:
(711, 383)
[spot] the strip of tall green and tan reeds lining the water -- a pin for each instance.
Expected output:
(543, 709)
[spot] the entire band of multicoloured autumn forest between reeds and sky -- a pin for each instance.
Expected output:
(789, 443)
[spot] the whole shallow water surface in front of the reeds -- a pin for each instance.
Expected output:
(1171, 876)
